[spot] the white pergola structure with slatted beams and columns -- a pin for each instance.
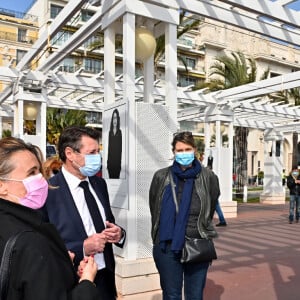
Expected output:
(152, 109)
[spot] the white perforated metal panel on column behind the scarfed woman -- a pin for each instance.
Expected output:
(154, 135)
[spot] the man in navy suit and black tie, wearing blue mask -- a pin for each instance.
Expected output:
(78, 205)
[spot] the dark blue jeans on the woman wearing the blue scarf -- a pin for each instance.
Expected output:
(173, 274)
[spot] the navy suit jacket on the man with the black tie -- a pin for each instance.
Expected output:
(60, 210)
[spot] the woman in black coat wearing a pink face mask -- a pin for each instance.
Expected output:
(40, 267)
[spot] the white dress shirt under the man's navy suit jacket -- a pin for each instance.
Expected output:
(78, 197)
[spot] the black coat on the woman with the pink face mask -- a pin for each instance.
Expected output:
(41, 267)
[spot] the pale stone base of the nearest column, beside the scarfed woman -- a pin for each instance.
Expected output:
(137, 279)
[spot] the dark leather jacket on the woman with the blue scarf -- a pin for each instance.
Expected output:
(207, 187)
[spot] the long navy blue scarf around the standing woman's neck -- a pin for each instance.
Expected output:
(172, 227)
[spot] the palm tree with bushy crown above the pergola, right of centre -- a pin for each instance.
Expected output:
(231, 71)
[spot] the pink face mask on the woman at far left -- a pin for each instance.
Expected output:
(37, 191)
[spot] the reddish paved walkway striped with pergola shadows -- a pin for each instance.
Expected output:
(258, 256)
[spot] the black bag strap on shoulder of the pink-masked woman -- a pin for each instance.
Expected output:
(6, 263)
